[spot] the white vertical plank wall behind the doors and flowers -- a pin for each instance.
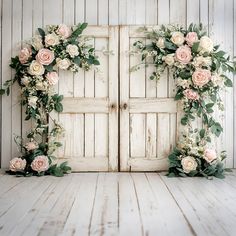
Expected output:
(20, 18)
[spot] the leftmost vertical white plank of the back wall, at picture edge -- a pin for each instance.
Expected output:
(6, 136)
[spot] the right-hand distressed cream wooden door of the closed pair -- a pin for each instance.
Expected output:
(148, 112)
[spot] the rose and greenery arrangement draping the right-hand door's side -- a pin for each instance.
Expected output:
(200, 71)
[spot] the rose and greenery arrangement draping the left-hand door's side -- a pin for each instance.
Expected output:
(59, 47)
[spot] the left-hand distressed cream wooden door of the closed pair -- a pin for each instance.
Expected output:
(90, 115)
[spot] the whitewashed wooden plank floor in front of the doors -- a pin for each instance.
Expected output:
(129, 204)
